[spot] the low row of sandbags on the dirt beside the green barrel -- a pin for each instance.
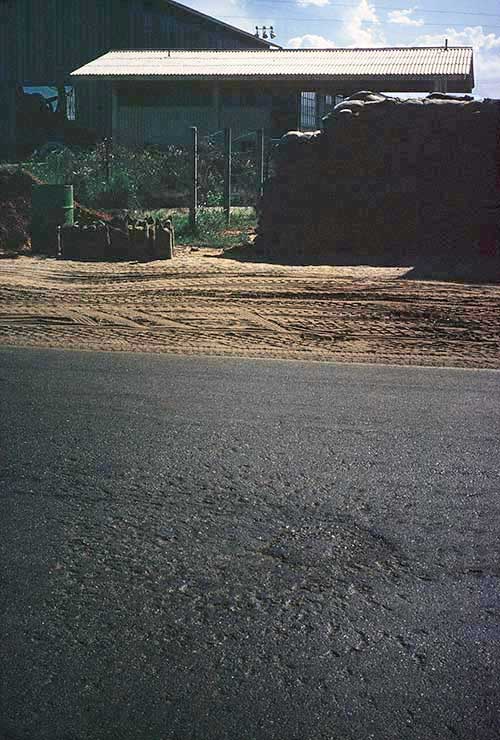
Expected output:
(131, 239)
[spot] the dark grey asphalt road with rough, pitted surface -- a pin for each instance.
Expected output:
(247, 550)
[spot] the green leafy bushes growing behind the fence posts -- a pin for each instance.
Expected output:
(144, 179)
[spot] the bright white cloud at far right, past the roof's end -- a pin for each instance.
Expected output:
(486, 55)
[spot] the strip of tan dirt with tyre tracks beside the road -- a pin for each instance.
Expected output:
(201, 302)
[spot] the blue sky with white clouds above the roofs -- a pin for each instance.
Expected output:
(361, 23)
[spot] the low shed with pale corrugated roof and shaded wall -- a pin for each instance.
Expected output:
(158, 95)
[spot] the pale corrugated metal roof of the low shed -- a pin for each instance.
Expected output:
(408, 62)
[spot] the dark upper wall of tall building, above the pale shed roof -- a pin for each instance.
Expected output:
(44, 40)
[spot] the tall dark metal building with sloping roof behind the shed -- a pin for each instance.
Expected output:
(42, 41)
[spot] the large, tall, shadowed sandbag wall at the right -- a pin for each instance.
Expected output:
(387, 180)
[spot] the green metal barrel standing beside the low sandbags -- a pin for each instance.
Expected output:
(51, 206)
